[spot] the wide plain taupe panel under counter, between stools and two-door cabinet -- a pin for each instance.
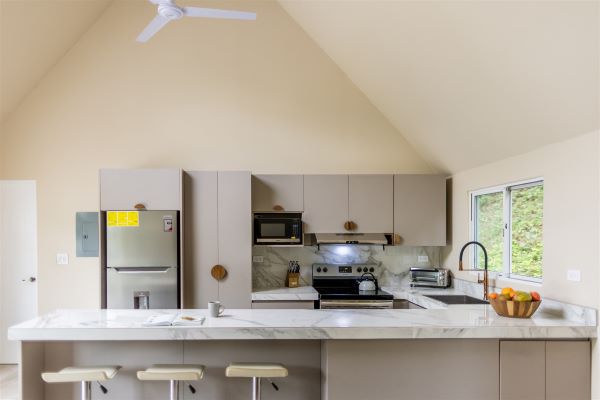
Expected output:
(421, 369)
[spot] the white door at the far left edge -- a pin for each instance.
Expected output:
(18, 260)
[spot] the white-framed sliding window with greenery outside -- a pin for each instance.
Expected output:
(508, 221)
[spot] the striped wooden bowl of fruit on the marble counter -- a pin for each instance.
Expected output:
(515, 303)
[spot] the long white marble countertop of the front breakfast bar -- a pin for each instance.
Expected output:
(479, 321)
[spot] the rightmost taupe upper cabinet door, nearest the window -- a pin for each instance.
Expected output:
(420, 210)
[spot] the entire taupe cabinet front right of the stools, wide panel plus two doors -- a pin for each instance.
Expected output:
(456, 369)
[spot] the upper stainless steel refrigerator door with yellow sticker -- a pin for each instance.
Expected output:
(152, 241)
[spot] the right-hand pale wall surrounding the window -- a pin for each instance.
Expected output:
(571, 193)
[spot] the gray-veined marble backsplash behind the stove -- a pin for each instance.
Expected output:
(394, 260)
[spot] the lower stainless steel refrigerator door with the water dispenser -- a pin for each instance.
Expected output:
(142, 287)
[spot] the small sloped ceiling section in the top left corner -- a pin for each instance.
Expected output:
(34, 35)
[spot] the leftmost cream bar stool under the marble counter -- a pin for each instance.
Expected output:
(85, 375)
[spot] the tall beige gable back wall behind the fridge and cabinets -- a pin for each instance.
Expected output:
(202, 94)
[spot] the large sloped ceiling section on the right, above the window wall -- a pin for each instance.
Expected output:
(470, 82)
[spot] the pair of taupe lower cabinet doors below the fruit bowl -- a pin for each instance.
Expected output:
(551, 370)
